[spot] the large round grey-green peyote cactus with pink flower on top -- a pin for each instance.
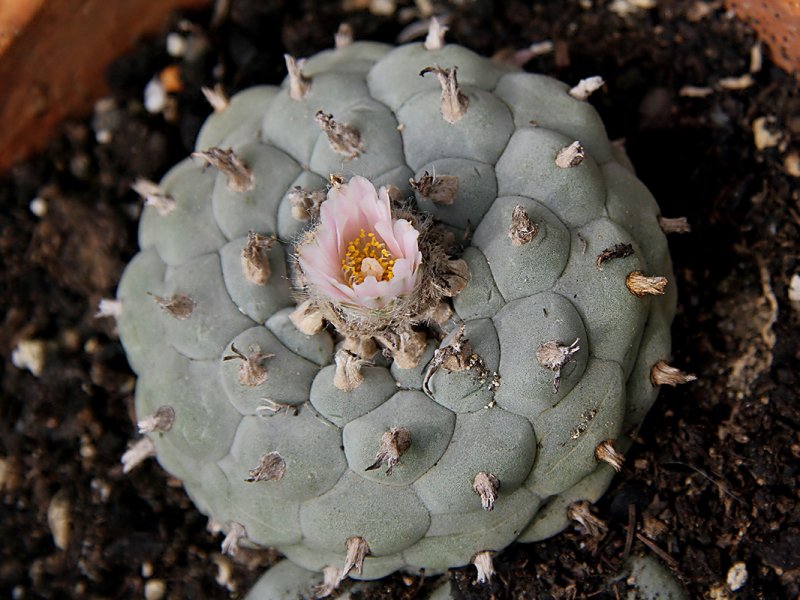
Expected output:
(407, 377)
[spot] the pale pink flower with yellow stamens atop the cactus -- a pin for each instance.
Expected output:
(359, 255)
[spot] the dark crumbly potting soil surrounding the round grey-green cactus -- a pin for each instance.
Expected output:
(715, 476)
